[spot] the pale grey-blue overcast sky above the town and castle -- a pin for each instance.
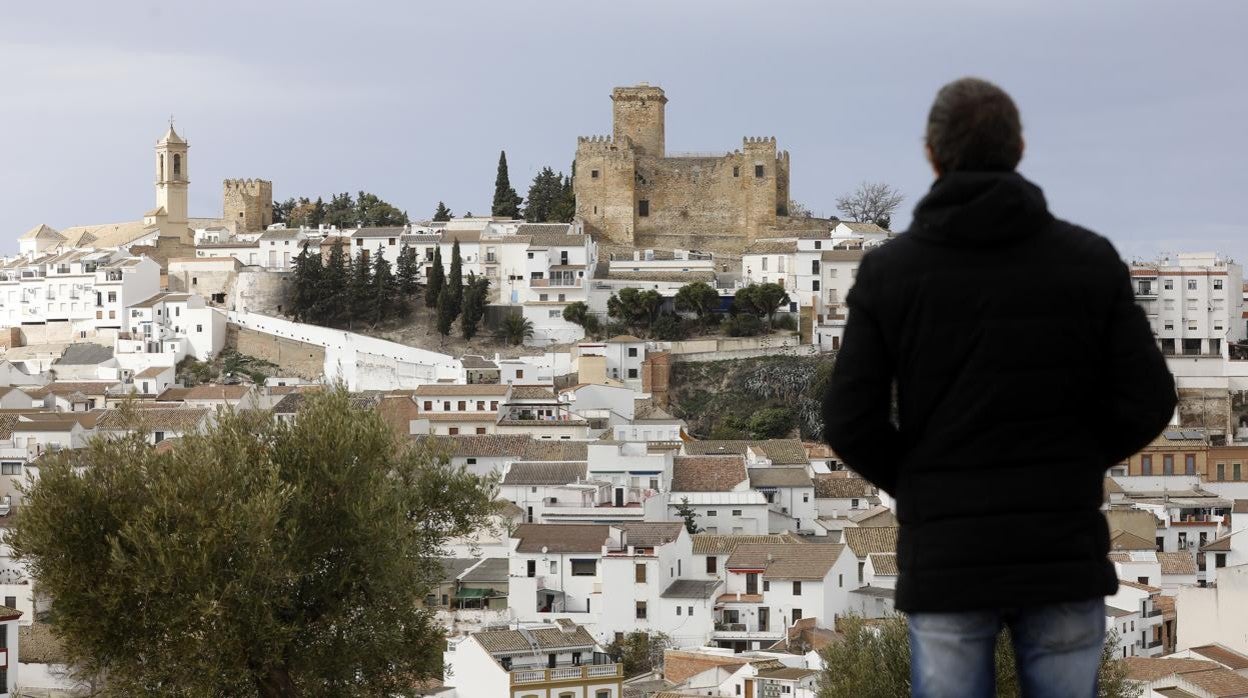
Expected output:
(1136, 114)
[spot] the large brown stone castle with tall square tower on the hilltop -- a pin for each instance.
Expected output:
(631, 193)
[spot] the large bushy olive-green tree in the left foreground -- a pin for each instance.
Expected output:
(268, 559)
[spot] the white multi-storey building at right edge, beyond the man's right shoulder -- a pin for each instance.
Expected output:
(1194, 303)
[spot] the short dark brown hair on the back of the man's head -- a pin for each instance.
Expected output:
(974, 127)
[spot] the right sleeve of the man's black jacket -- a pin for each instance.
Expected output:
(1141, 389)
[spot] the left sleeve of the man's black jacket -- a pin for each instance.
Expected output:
(859, 398)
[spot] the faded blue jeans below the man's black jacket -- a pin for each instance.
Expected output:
(1058, 649)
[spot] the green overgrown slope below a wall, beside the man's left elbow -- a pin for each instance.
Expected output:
(767, 398)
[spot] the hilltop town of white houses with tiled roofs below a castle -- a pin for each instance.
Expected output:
(743, 551)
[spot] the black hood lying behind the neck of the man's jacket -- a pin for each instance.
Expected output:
(982, 209)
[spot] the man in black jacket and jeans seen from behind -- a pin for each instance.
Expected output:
(1023, 370)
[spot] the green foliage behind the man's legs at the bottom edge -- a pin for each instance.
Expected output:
(873, 661)
